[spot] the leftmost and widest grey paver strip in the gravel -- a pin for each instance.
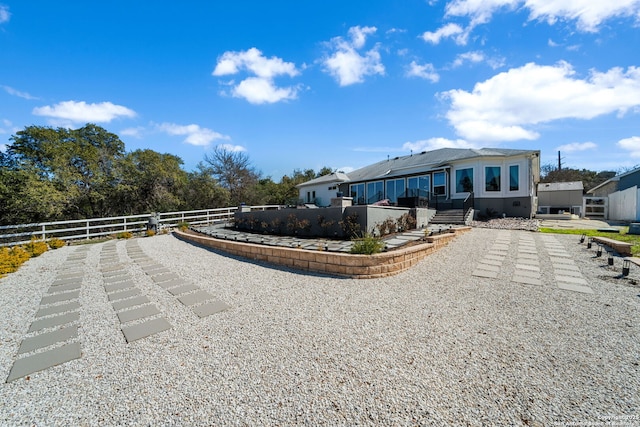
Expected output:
(53, 335)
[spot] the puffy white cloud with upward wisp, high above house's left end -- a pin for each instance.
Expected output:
(346, 64)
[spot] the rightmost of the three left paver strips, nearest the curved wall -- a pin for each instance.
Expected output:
(201, 302)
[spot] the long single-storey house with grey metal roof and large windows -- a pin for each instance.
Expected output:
(502, 181)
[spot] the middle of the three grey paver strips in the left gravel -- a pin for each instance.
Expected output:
(137, 315)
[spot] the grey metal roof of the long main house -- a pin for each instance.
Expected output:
(429, 160)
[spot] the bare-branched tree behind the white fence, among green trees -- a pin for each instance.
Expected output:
(233, 170)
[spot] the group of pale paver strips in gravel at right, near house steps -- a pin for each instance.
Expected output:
(527, 269)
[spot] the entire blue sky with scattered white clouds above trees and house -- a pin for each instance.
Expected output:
(301, 84)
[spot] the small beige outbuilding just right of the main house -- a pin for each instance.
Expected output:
(560, 197)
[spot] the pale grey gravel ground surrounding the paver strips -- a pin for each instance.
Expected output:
(431, 346)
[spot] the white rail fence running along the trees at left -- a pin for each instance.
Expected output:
(98, 227)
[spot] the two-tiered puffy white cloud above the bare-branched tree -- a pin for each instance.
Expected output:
(259, 88)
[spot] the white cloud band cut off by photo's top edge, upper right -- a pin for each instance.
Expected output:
(588, 14)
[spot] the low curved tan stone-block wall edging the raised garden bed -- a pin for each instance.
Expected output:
(355, 266)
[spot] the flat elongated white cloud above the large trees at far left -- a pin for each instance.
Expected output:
(81, 112)
